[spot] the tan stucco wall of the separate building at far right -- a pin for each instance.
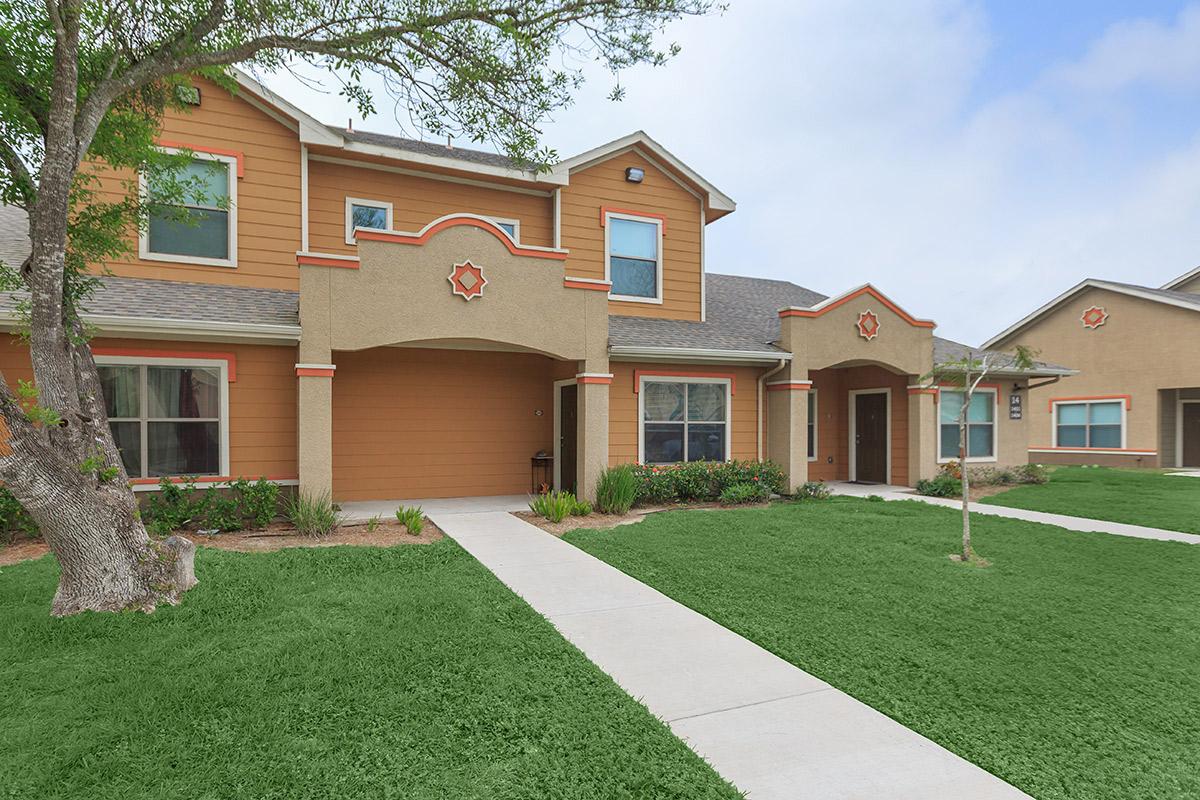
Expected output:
(1142, 348)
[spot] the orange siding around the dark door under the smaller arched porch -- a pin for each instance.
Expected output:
(833, 420)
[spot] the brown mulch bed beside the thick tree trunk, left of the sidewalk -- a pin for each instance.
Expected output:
(277, 537)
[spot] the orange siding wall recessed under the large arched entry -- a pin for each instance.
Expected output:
(423, 424)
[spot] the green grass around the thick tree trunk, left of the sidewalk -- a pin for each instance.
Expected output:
(321, 673)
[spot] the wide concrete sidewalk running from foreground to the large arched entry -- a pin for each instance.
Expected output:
(769, 727)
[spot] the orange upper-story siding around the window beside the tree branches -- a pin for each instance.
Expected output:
(268, 195)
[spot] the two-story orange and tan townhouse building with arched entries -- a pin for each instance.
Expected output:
(388, 320)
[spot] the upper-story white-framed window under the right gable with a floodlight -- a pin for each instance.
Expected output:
(634, 257)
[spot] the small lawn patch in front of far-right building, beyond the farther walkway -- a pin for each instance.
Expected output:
(1137, 497)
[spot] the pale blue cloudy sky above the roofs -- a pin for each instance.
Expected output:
(971, 160)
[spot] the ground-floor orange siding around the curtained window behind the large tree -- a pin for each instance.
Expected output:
(262, 400)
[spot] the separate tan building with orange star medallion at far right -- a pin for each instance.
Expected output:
(1136, 401)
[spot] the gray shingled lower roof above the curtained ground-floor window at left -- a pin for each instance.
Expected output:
(139, 299)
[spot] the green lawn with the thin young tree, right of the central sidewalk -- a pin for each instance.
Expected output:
(1070, 667)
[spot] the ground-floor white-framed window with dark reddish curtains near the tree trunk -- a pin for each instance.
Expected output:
(169, 417)
